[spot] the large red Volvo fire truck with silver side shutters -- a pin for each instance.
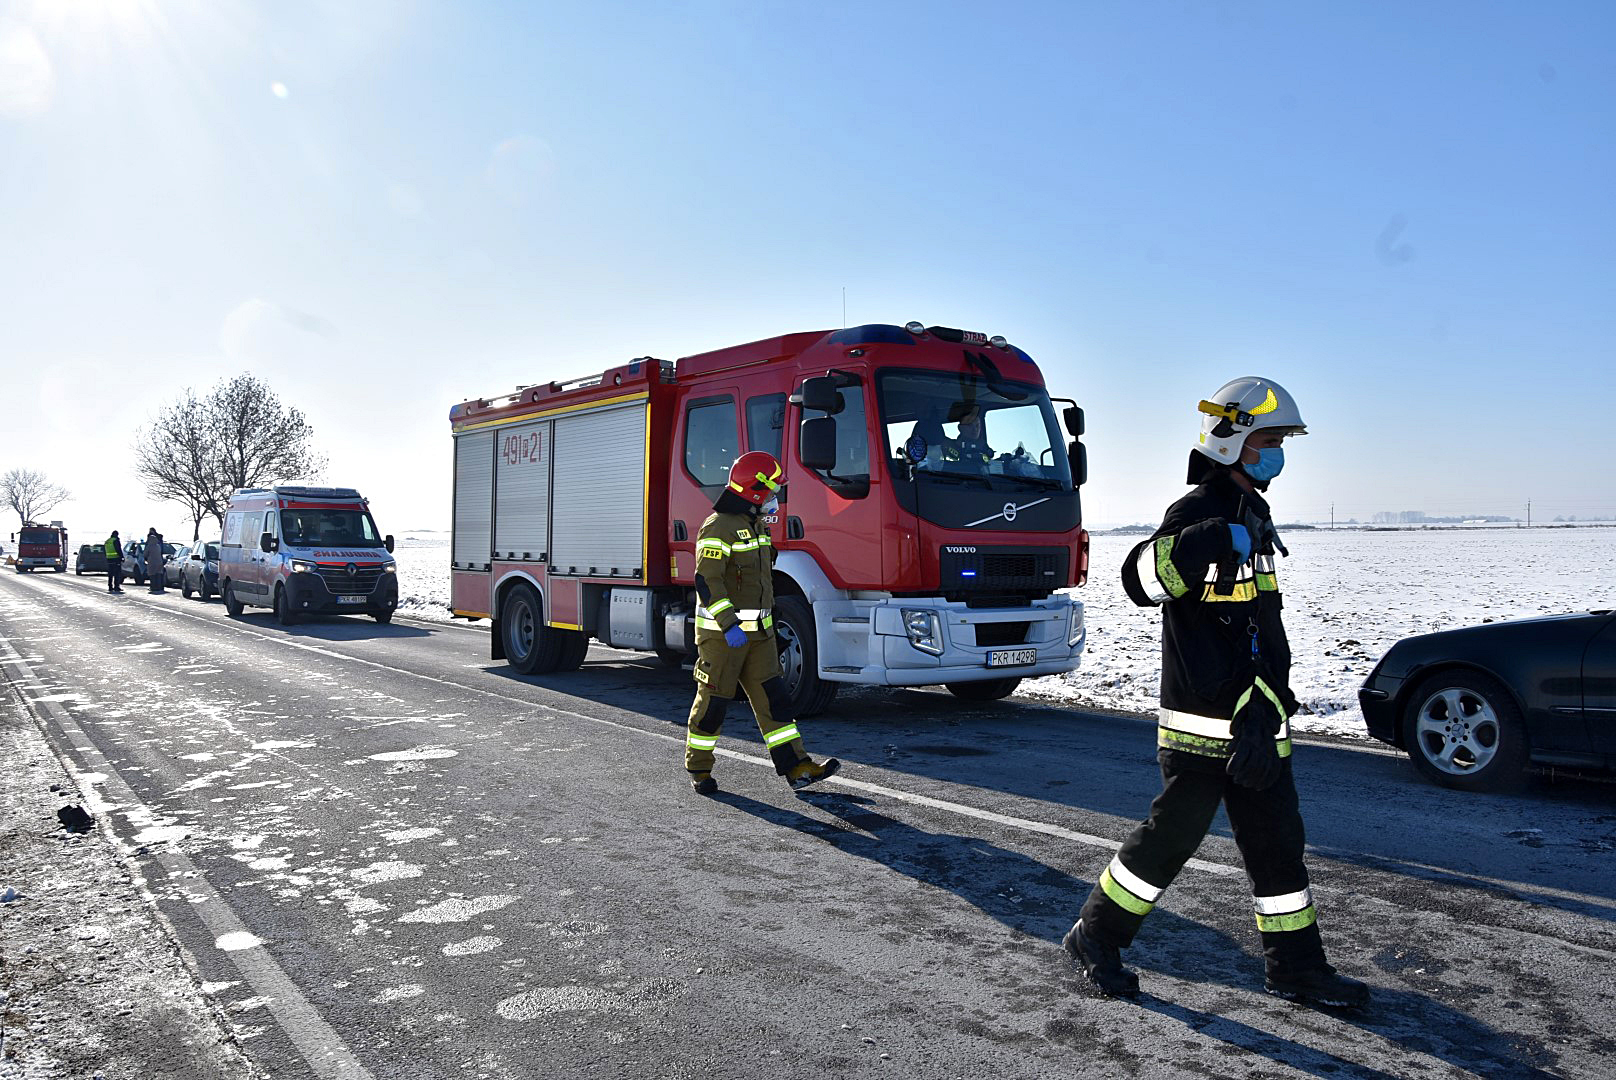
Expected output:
(927, 534)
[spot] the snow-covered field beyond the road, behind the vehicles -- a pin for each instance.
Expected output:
(1349, 597)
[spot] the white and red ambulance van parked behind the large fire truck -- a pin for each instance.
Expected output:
(306, 551)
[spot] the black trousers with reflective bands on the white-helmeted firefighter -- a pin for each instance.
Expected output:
(1268, 830)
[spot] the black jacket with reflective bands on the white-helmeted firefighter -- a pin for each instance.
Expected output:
(1223, 638)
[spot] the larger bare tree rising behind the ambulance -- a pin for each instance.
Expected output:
(240, 436)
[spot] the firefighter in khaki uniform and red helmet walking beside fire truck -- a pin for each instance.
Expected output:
(736, 628)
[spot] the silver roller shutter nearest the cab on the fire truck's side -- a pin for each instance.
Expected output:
(599, 479)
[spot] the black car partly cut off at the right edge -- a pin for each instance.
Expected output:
(1475, 707)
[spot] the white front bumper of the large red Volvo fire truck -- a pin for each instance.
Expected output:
(865, 641)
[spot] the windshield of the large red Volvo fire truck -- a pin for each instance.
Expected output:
(957, 428)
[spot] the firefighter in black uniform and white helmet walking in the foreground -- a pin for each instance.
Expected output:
(1224, 732)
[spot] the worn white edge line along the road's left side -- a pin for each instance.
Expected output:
(319, 1045)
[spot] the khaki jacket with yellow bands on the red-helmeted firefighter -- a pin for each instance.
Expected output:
(736, 575)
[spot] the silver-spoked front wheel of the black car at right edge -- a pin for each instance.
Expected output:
(1463, 730)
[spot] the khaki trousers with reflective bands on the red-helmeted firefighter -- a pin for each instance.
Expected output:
(755, 669)
